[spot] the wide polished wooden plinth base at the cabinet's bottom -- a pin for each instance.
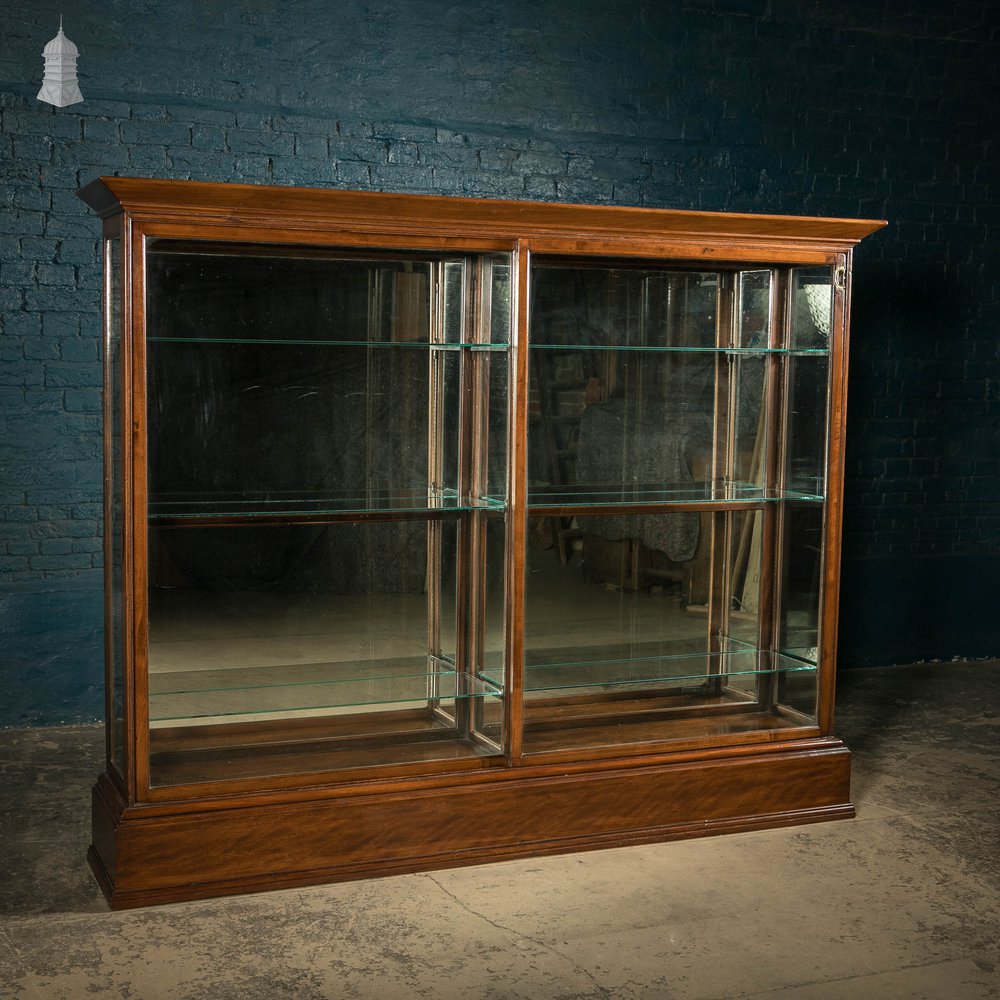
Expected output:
(147, 854)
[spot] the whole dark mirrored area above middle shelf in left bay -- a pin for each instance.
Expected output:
(282, 384)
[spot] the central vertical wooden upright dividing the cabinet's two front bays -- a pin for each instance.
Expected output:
(517, 499)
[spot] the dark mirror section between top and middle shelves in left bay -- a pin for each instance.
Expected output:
(280, 429)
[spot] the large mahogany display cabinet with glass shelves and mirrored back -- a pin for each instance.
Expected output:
(441, 531)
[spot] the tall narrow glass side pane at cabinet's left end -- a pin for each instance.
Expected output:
(114, 521)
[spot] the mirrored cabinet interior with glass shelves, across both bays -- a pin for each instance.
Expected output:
(331, 454)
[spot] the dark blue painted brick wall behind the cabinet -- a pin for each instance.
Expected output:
(881, 108)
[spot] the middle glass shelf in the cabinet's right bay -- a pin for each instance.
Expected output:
(658, 494)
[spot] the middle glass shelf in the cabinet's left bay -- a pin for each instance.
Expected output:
(167, 508)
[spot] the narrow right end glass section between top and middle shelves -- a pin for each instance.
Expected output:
(808, 392)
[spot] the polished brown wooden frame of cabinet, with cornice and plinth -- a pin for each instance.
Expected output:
(535, 788)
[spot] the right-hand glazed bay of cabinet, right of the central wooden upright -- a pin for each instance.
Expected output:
(655, 484)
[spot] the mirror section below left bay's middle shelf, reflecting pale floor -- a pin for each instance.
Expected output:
(291, 610)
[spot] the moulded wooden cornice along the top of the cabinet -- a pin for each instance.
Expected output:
(403, 213)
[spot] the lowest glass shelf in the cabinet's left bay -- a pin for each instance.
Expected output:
(309, 689)
